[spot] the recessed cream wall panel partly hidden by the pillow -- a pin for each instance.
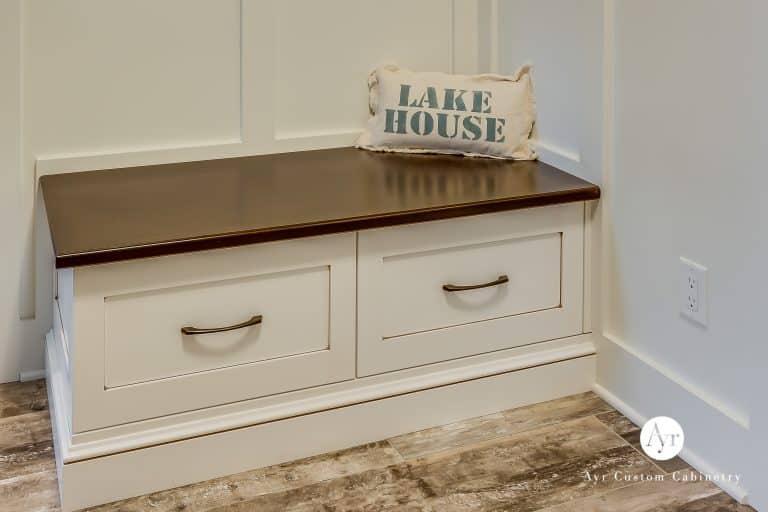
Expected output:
(321, 68)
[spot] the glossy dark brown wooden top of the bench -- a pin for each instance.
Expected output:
(120, 214)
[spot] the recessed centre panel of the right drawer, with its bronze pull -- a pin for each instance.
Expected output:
(457, 285)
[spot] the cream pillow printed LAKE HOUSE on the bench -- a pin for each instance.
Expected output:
(480, 115)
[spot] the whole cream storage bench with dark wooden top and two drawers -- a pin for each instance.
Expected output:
(217, 316)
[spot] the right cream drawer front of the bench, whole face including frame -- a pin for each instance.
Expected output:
(442, 290)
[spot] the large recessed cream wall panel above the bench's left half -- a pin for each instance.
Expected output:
(107, 77)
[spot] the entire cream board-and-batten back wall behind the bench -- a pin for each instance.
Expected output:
(111, 84)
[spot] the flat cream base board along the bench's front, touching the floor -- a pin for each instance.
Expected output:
(114, 477)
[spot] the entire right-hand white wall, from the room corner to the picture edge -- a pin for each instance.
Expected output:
(679, 158)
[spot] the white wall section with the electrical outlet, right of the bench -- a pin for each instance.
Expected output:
(688, 180)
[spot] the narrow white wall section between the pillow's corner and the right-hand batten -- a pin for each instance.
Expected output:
(563, 40)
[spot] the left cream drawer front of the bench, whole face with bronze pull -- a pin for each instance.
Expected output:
(131, 360)
